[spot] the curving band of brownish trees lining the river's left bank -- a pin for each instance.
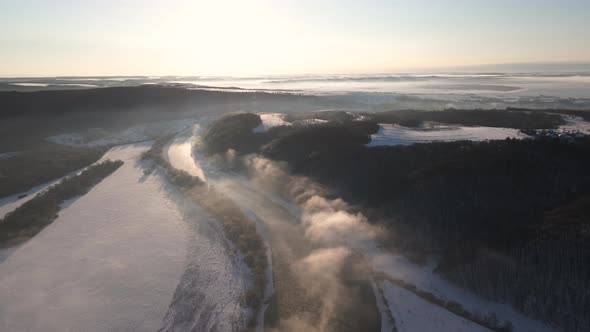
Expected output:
(239, 229)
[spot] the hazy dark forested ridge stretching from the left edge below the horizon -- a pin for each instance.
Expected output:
(28, 118)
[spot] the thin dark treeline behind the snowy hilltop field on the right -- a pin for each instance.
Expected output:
(511, 118)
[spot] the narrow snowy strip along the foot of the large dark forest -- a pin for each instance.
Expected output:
(424, 278)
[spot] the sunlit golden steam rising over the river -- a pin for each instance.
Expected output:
(330, 225)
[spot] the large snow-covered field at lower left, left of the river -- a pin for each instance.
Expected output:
(111, 261)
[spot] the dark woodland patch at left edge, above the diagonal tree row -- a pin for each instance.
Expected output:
(37, 166)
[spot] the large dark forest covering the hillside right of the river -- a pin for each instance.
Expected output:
(504, 218)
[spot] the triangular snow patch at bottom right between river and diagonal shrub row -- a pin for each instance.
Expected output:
(415, 314)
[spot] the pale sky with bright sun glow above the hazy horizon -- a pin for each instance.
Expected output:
(264, 37)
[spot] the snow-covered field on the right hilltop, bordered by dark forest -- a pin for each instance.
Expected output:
(391, 134)
